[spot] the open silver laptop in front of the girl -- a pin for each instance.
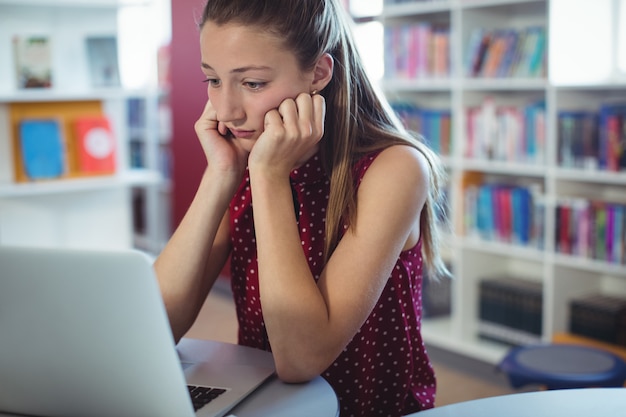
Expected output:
(85, 333)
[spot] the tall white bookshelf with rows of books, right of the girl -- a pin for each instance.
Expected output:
(511, 97)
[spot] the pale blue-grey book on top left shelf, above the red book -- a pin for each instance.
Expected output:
(103, 61)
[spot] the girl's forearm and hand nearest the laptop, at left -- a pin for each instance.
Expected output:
(193, 258)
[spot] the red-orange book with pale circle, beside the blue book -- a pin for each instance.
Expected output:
(96, 145)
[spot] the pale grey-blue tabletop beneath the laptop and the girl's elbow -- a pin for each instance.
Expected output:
(273, 398)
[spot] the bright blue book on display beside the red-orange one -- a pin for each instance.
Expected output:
(42, 147)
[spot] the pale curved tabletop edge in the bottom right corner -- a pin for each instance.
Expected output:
(584, 402)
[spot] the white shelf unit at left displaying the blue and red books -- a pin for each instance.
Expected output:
(77, 209)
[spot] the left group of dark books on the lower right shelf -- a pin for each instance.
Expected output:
(511, 310)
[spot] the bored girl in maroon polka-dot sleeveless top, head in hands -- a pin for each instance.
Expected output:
(326, 207)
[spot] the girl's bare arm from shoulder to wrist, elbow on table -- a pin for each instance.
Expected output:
(310, 324)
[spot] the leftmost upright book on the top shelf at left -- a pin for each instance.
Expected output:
(33, 61)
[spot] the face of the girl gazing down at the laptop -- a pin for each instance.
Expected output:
(248, 72)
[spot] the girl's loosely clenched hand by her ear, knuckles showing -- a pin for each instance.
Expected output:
(291, 136)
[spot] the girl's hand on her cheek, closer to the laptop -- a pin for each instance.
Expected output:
(222, 152)
